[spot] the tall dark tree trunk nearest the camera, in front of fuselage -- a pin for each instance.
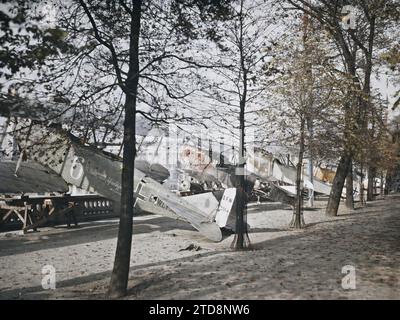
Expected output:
(120, 273)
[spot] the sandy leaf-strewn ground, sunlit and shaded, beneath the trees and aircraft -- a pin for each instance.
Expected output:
(282, 264)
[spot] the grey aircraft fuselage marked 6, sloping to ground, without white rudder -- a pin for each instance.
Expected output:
(96, 171)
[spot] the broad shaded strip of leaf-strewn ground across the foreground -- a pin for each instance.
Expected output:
(304, 265)
